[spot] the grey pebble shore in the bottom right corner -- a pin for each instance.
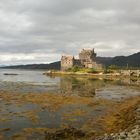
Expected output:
(133, 134)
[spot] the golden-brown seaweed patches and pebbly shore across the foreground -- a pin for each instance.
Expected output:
(120, 123)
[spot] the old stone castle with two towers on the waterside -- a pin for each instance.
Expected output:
(87, 59)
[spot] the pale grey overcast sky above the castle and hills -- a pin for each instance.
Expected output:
(40, 31)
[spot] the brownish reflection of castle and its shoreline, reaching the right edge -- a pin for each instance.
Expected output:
(87, 87)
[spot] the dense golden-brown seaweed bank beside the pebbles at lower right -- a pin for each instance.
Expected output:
(123, 117)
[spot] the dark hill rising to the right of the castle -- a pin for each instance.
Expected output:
(131, 60)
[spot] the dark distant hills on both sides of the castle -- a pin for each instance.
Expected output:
(131, 61)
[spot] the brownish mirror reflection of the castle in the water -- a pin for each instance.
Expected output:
(79, 86)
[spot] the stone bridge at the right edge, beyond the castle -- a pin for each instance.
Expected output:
(135, 73)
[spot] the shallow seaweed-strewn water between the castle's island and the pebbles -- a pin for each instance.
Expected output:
(34, 106)
